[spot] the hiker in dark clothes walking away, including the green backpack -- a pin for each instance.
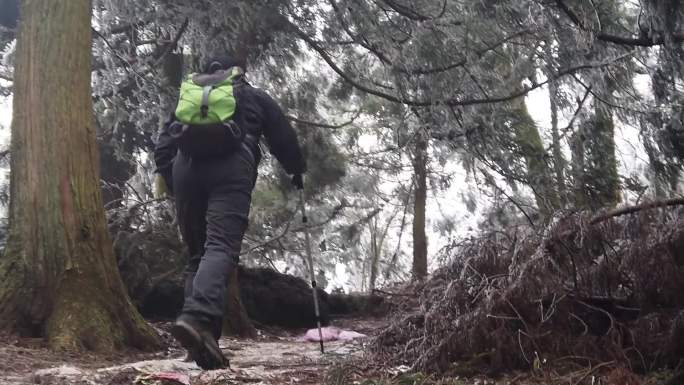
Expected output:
(211, 170)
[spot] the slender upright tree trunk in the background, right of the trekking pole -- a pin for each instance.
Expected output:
(420, 161)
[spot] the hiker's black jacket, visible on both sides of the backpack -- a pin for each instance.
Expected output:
(258, 114)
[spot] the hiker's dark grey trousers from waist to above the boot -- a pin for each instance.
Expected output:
(213, 198)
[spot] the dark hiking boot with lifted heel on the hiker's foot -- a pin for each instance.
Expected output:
(198, 340)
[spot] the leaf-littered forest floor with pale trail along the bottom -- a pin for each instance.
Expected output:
(274, 358)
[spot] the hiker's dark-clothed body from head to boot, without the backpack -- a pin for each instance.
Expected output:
(213, 196)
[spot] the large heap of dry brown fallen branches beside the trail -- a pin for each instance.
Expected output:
(608, 293)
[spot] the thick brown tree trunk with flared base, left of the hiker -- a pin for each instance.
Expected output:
(58, 277)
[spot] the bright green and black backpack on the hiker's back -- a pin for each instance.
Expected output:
(204, 125)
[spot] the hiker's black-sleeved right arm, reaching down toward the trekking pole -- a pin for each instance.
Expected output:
(281, 137)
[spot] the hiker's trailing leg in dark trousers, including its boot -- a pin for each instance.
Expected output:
(229, 183)
